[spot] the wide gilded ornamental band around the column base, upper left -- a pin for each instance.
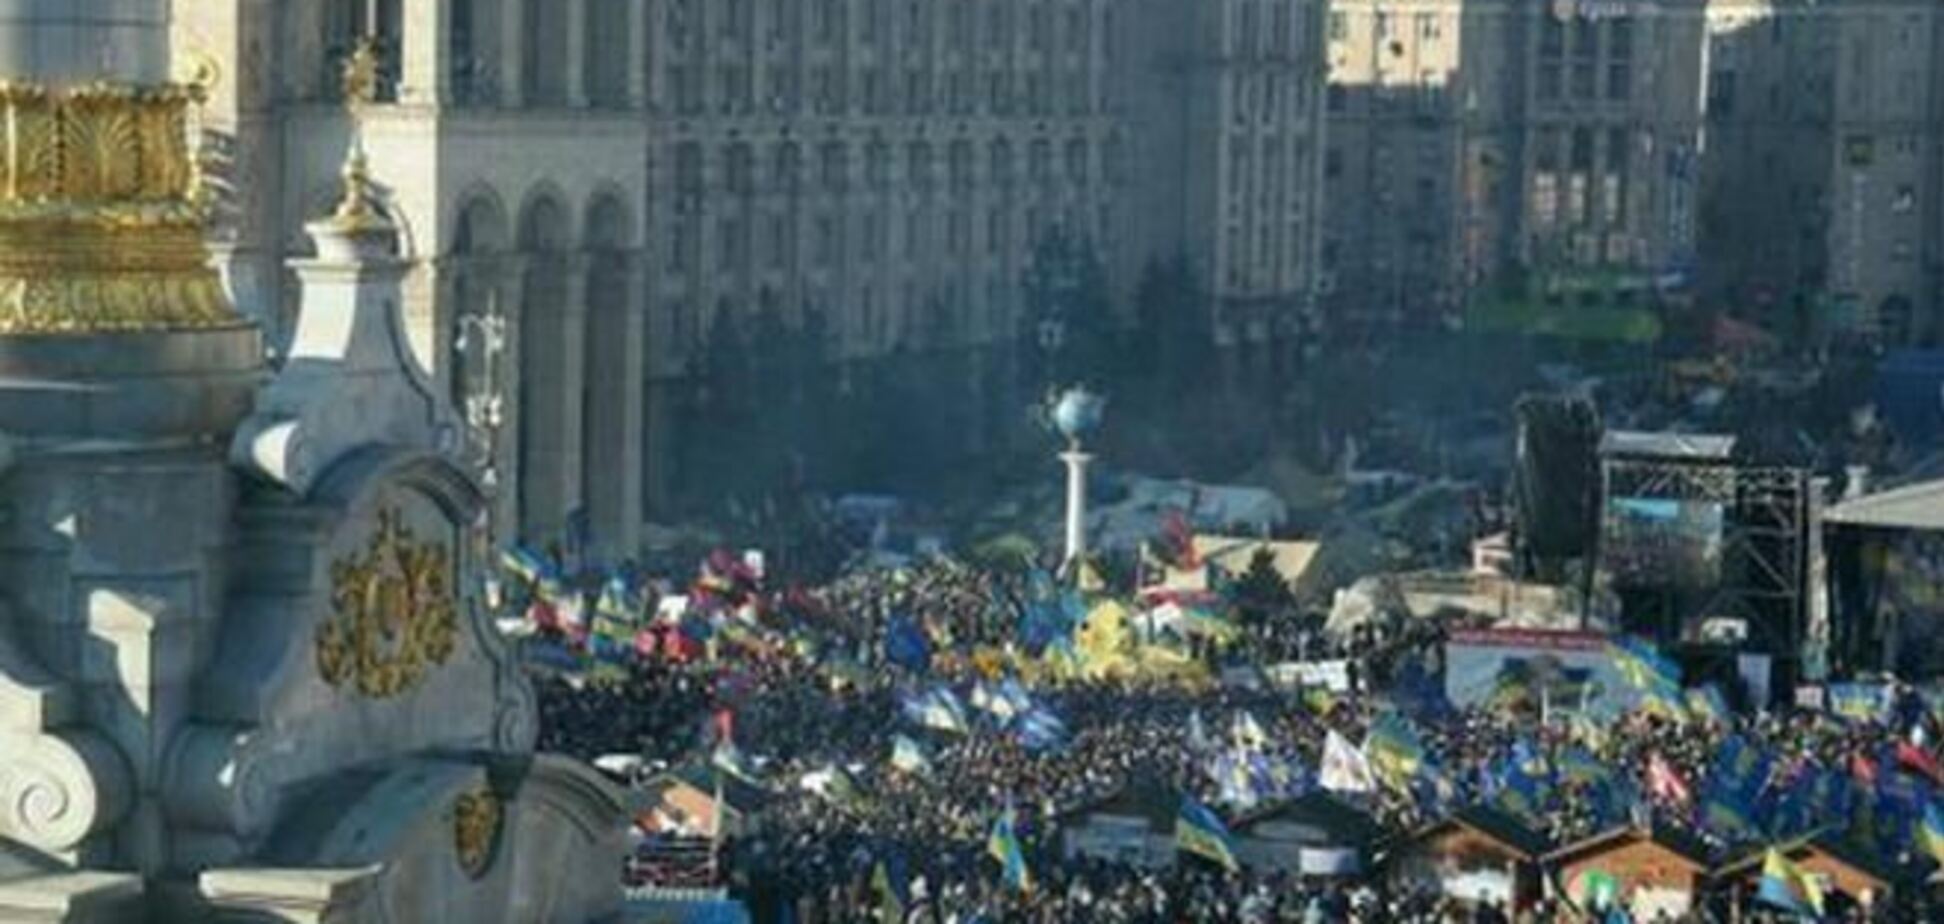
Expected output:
(102, 213)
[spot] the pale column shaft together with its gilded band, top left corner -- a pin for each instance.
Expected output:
(102, 203)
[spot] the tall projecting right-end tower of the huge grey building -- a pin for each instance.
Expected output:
(1232, 131)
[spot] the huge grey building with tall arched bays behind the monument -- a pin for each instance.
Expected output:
(619, 178)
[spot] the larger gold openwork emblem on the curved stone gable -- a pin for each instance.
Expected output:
(394, 614)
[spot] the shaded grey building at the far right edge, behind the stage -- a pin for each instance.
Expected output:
(1822, 164)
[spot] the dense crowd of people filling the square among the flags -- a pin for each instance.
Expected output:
(829, 853)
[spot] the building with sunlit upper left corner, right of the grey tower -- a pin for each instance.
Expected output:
(1478, 141)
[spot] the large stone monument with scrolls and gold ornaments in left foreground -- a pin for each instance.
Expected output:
(244, 666)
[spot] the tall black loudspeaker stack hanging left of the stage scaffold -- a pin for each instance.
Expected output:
(1558, 476)
